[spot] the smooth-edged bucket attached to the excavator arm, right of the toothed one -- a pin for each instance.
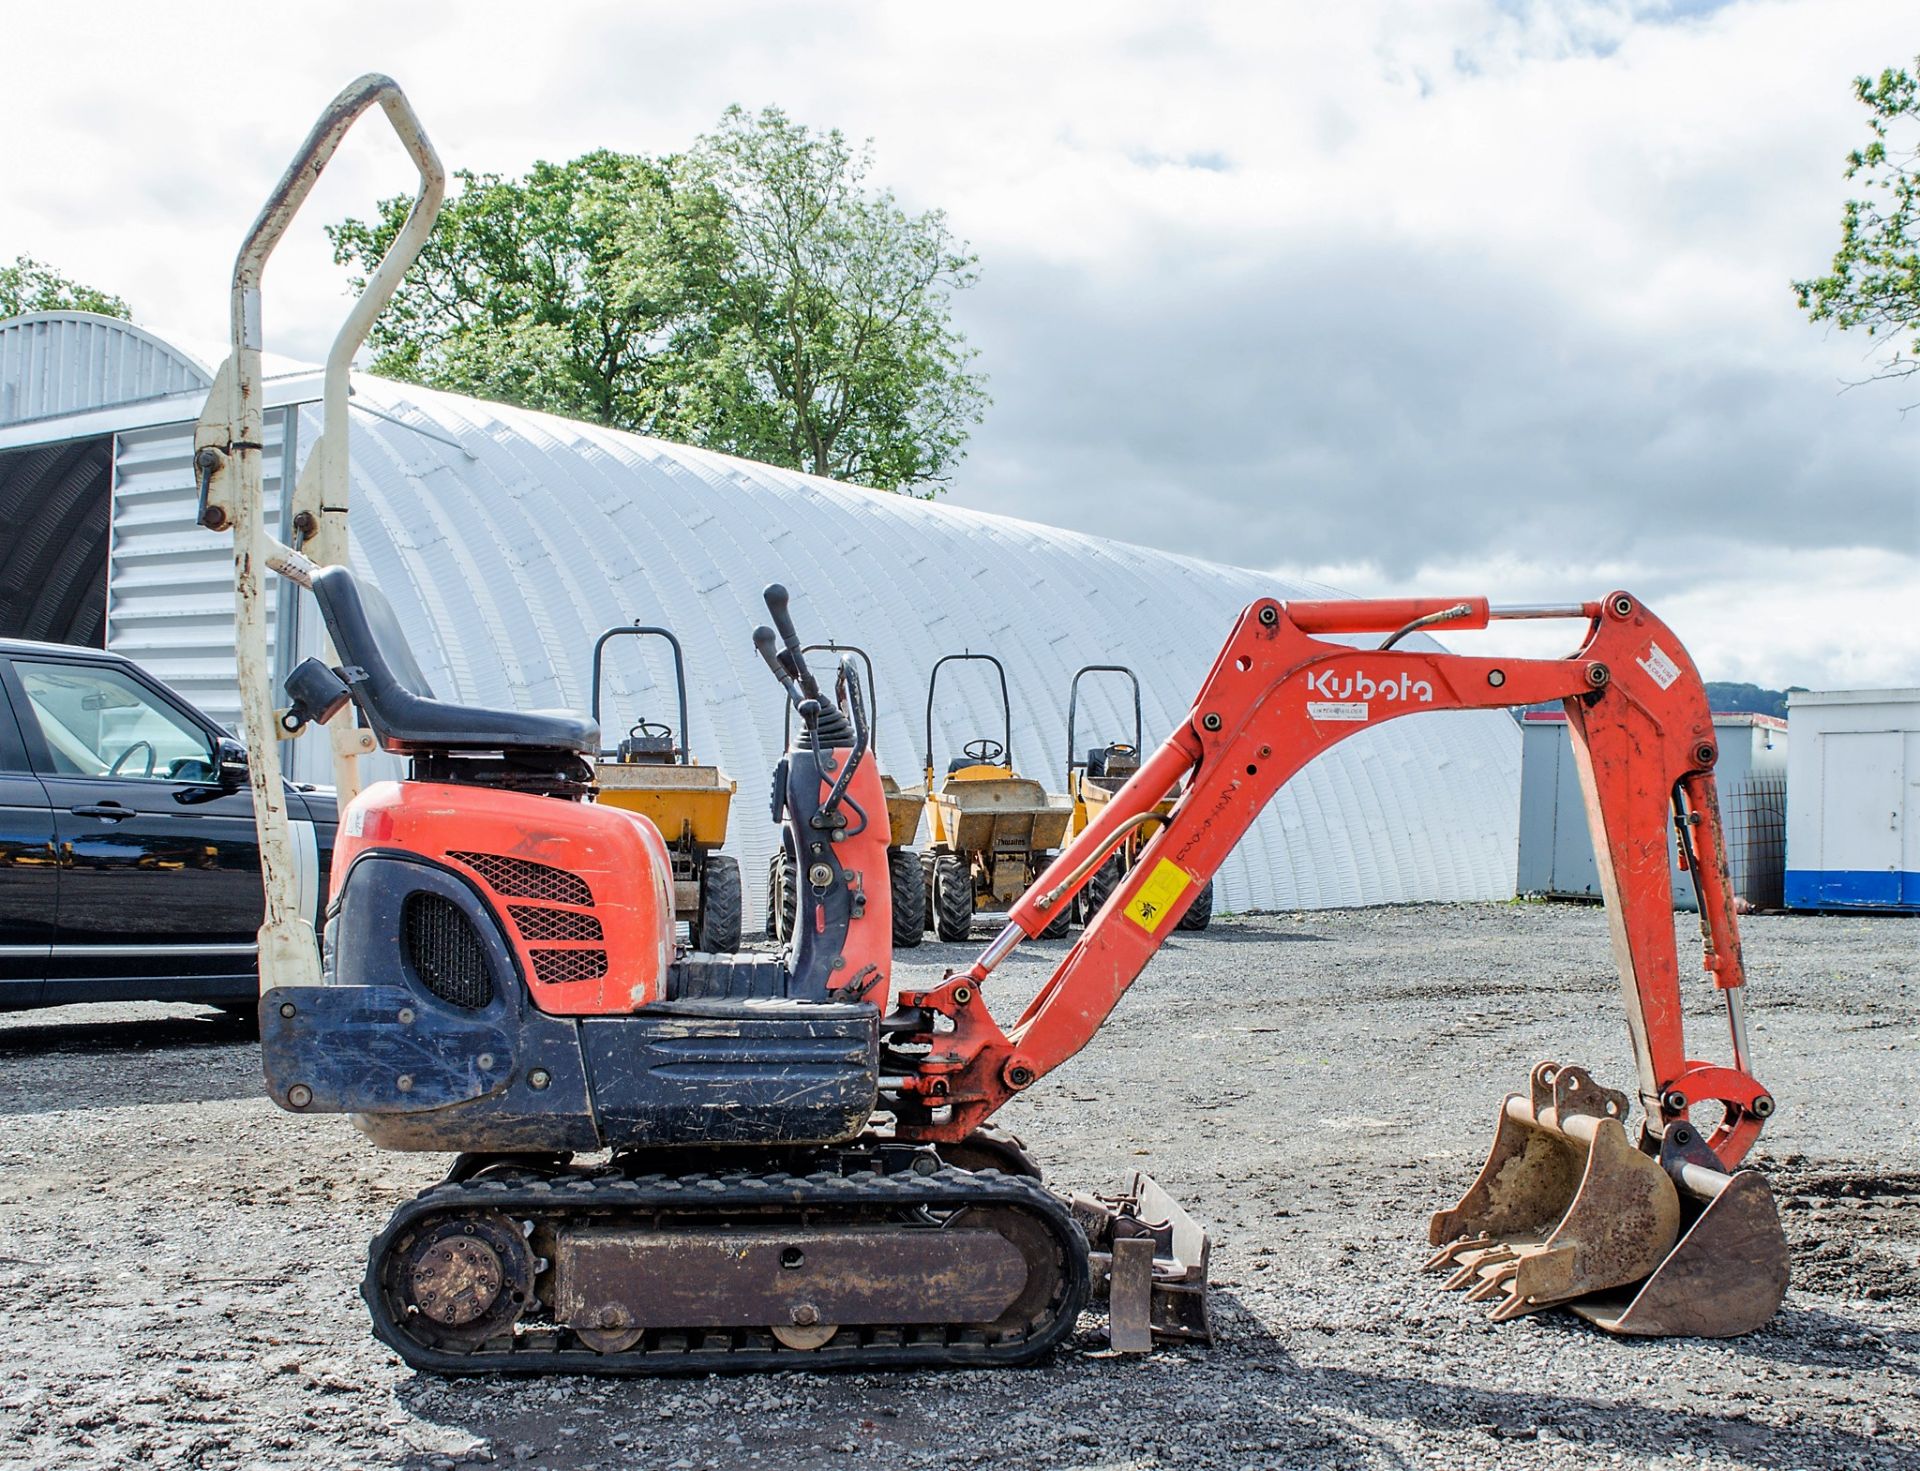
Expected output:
(1731, 1268)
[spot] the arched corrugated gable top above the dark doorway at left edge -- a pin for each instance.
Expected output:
(64, 362)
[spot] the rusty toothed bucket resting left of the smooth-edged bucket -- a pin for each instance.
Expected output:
(1564, 1205)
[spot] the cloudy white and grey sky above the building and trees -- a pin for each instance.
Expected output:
(1401, 295)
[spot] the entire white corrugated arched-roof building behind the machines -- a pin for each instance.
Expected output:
(508, 541)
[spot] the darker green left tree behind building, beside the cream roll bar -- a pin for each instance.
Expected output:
(577, 291)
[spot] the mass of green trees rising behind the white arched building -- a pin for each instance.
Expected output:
(750, 297)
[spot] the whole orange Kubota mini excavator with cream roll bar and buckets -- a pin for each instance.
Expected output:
(694, 1163)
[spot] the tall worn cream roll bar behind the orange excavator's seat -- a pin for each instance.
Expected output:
(228, 470)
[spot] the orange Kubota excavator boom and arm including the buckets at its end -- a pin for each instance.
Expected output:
(1566, 1207)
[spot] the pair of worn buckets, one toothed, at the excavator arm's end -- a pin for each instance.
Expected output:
(1568, 1209)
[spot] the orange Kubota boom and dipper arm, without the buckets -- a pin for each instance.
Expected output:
(1282, 694)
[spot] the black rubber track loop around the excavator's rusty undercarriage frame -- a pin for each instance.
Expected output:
(723, 1197)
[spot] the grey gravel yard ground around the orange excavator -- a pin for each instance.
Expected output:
(183, 1261)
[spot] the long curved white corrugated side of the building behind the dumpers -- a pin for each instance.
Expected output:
(514, 546)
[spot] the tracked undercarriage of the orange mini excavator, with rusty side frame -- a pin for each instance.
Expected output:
(876, 1257)
